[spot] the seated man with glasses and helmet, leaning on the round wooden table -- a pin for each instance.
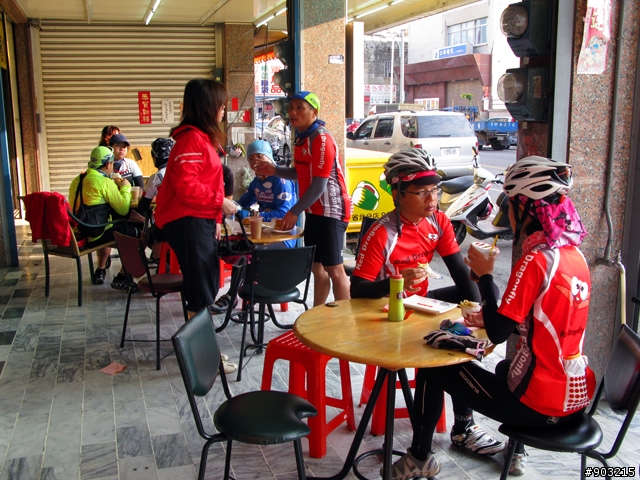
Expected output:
(404, 241)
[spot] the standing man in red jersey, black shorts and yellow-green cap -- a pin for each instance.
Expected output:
(323, 195)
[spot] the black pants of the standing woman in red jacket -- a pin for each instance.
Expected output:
(194, 241)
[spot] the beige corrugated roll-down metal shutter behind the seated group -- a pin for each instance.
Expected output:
(92, 75)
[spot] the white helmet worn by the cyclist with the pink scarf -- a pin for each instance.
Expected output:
(537, 177)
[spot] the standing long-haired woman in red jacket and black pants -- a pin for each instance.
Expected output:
(190, 200)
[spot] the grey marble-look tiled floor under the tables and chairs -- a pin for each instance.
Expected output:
(61, 418)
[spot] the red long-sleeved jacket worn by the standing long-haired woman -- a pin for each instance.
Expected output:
(192, 185)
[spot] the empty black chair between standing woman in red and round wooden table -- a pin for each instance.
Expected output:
(272, 276)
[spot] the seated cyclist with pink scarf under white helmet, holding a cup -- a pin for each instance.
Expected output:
(548, 382)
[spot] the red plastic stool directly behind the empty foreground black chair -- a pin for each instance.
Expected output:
(303, 359)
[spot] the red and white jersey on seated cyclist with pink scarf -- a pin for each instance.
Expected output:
(548, 295)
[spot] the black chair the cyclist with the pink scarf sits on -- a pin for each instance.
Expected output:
(621, 384)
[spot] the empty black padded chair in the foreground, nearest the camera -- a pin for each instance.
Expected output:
(258, 418)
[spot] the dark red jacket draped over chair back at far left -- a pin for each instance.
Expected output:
(47, 214)
